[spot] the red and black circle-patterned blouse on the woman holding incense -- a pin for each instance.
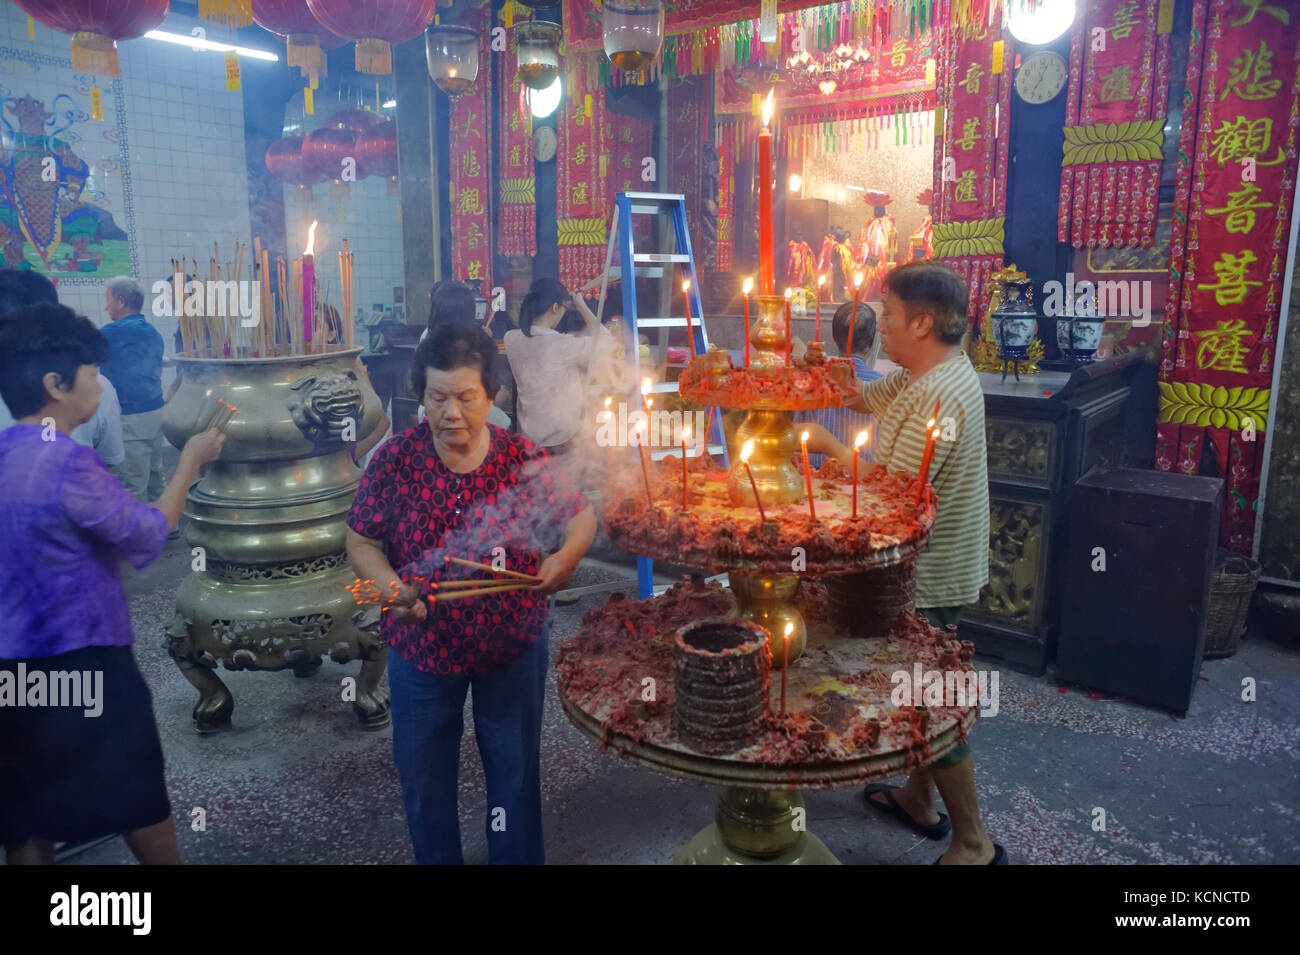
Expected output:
(423, 511)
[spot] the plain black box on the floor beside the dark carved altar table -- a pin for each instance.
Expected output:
(1137, 628)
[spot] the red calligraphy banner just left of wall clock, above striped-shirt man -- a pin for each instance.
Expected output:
(970, 158)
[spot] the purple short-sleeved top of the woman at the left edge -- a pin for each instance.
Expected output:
(66, 526)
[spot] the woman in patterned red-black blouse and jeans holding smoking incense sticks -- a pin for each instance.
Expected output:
(458, 487)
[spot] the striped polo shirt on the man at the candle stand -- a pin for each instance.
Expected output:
(955, 567)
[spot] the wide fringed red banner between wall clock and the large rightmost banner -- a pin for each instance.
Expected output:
(1116, 110)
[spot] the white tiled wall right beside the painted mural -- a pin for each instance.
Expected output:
(185, 146)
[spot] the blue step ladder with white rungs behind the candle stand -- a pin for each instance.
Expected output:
(661, 266)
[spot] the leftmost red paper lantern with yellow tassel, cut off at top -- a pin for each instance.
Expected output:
(96, 25)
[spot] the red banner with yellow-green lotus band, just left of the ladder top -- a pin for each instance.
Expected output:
(582, 175)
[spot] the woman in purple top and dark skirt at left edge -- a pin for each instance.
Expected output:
(80, 753)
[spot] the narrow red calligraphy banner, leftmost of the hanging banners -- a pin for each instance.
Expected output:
(471, 172)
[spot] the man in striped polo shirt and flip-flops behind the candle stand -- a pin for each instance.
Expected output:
(921, 328)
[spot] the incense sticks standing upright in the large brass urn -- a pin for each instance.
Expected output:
(222, 318)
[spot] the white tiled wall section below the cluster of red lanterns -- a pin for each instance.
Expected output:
(369, 219)
